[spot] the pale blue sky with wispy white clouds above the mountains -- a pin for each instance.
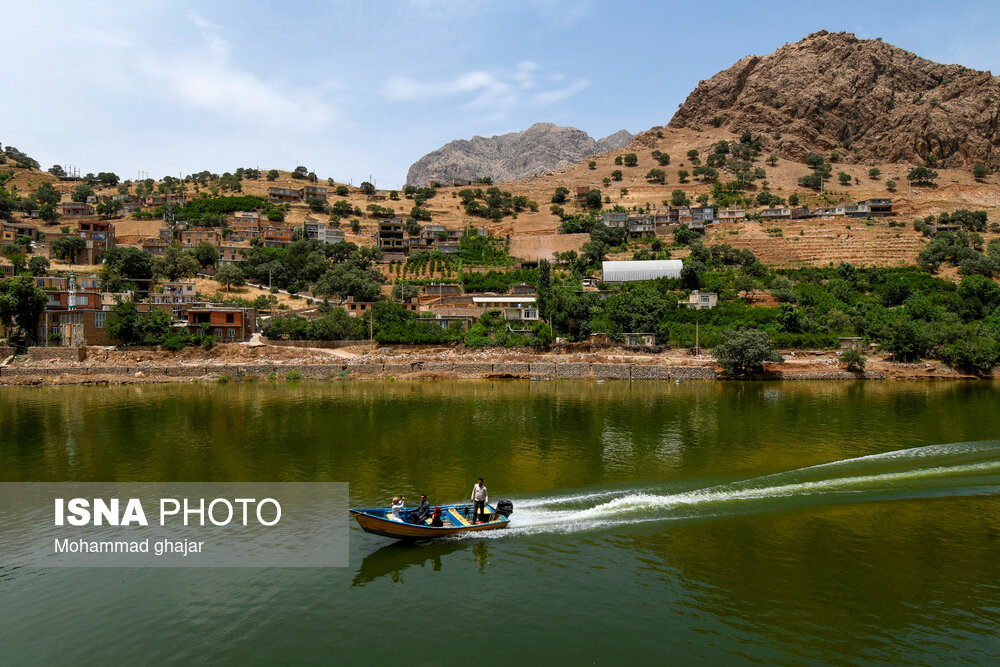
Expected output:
(360, 90)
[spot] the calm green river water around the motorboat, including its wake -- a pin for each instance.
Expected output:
(708, 523)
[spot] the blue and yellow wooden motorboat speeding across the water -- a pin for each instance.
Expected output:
(456, 520)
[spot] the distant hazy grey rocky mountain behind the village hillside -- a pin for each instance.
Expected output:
(506, 157)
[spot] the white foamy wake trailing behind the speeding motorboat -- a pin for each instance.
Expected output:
(964, 468)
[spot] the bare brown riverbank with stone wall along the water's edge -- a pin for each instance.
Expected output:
(246, 362)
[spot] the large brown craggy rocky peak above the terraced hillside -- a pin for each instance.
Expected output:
(868, 100)
